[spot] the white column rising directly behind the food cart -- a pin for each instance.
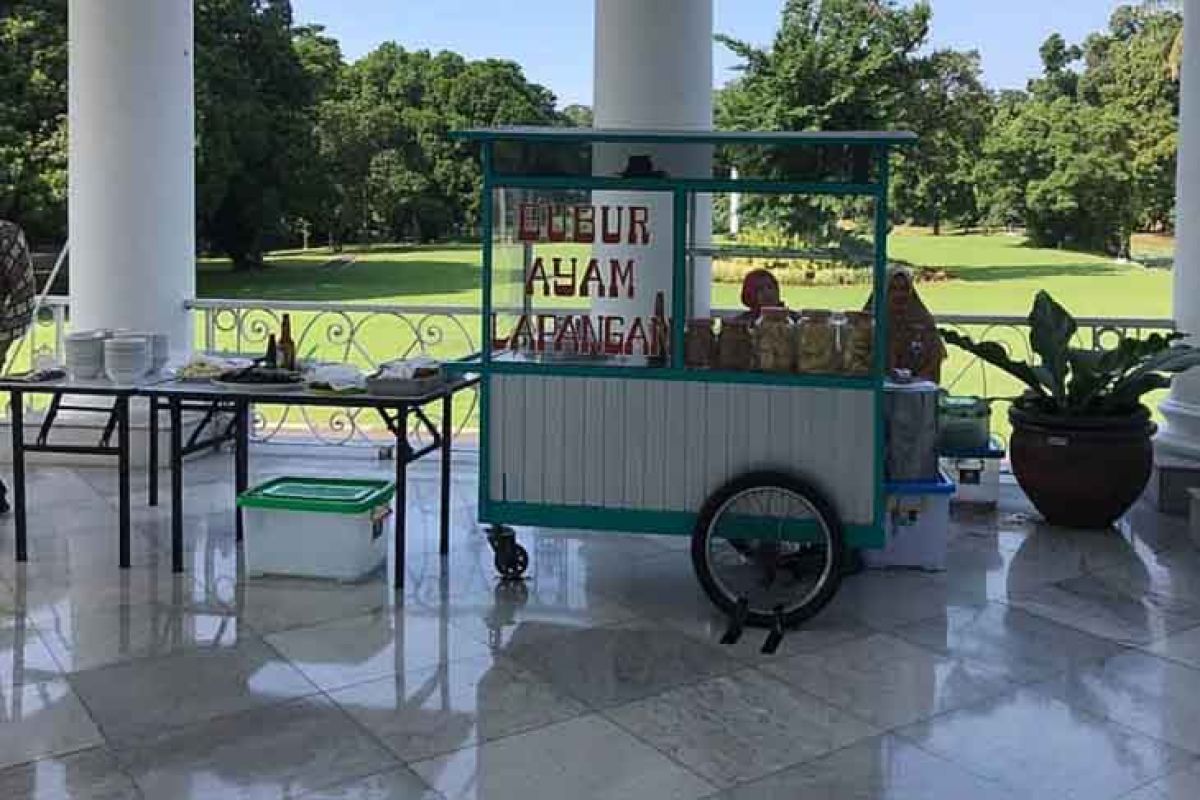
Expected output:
(655, 70)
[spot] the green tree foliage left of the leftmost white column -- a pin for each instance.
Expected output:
(34, 117)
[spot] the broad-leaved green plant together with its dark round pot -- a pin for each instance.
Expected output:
(1082, 437)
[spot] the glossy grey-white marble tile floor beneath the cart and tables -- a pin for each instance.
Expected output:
(1042, 664)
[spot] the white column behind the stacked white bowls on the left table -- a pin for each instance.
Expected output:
(133, 208)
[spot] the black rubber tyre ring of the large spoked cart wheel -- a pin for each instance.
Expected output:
(820, 504)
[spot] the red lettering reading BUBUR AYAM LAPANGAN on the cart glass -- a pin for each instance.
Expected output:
(592, 278)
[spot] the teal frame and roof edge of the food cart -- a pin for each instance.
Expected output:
(877, 147)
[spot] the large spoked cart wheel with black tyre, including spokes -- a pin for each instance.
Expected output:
(773, 542)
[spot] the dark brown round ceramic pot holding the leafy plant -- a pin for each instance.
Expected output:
(1082, 472)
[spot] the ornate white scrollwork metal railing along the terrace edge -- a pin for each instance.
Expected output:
(368, 335)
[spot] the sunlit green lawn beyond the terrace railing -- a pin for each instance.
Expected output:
(995, 275)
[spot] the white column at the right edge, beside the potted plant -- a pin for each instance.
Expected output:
(1181, 435)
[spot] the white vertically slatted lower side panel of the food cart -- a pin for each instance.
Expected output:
(667, 446)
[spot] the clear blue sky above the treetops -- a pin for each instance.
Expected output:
(553, 39)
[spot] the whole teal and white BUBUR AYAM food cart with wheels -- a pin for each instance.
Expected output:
(610, 400)
